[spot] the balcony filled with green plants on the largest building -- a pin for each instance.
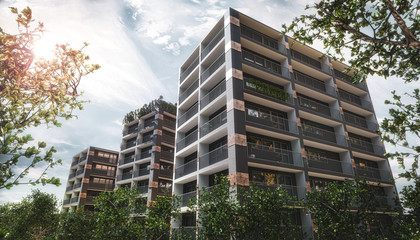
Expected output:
(266, 90)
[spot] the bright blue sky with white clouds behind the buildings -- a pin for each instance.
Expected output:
(140, 46)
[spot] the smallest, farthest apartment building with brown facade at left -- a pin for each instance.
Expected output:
(92, 171)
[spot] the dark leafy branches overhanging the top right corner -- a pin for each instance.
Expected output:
(381, 36)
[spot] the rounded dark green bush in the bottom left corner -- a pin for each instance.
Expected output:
(35, 217)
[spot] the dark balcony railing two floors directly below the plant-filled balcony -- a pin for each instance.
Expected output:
(278, 155)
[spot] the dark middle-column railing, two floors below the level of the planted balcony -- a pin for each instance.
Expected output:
(331, 165)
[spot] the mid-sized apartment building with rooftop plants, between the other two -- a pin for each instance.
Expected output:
(147, 152)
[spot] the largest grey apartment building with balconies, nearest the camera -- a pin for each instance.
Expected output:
(264, 109)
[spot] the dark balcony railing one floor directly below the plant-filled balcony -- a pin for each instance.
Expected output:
(271, 121)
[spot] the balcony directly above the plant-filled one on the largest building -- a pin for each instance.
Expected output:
(264, 63)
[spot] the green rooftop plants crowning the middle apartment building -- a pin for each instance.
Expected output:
(154, 105)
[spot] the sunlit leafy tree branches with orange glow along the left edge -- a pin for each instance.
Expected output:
(34, 92)
